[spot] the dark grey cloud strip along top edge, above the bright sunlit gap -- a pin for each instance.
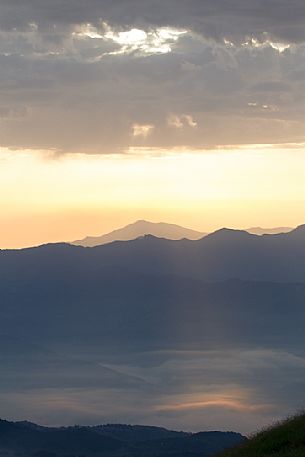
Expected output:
(234, 19)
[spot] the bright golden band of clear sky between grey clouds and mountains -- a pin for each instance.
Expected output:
(46, 198)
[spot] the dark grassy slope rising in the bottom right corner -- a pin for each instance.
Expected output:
(284, 440)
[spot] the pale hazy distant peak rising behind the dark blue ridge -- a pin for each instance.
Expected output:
(141, 228)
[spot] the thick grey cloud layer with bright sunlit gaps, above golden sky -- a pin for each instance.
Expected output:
(202, 74)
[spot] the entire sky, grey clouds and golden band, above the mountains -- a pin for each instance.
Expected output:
(187, 112)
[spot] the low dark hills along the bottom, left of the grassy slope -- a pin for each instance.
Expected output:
(23, 439)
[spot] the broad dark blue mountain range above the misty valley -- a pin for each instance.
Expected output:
(76, 292)
